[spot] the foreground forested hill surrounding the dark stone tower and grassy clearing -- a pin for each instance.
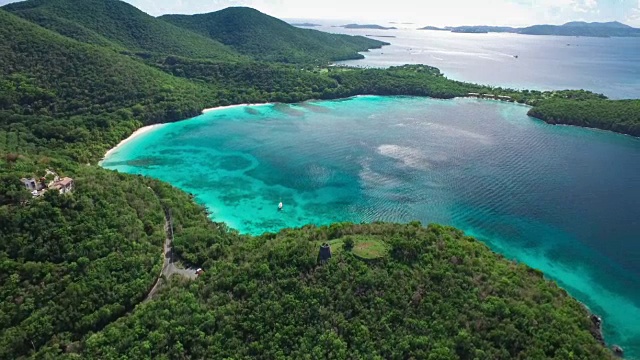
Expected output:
(436, 294)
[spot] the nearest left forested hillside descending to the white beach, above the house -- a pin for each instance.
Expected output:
(58, 93)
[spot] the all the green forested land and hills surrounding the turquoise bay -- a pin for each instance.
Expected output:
(77, 77)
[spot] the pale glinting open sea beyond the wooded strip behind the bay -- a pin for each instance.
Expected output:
(605, 65)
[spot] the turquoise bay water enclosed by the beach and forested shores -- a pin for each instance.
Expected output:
(564, 200)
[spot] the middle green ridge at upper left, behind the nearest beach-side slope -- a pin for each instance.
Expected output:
(105, 22)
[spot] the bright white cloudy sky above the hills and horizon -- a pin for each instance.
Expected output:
(421, 12)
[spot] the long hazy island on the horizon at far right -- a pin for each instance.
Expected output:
(575, 28)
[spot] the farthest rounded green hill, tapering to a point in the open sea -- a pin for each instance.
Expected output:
(266, 38)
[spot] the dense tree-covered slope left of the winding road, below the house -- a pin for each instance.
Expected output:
(72, 264)
